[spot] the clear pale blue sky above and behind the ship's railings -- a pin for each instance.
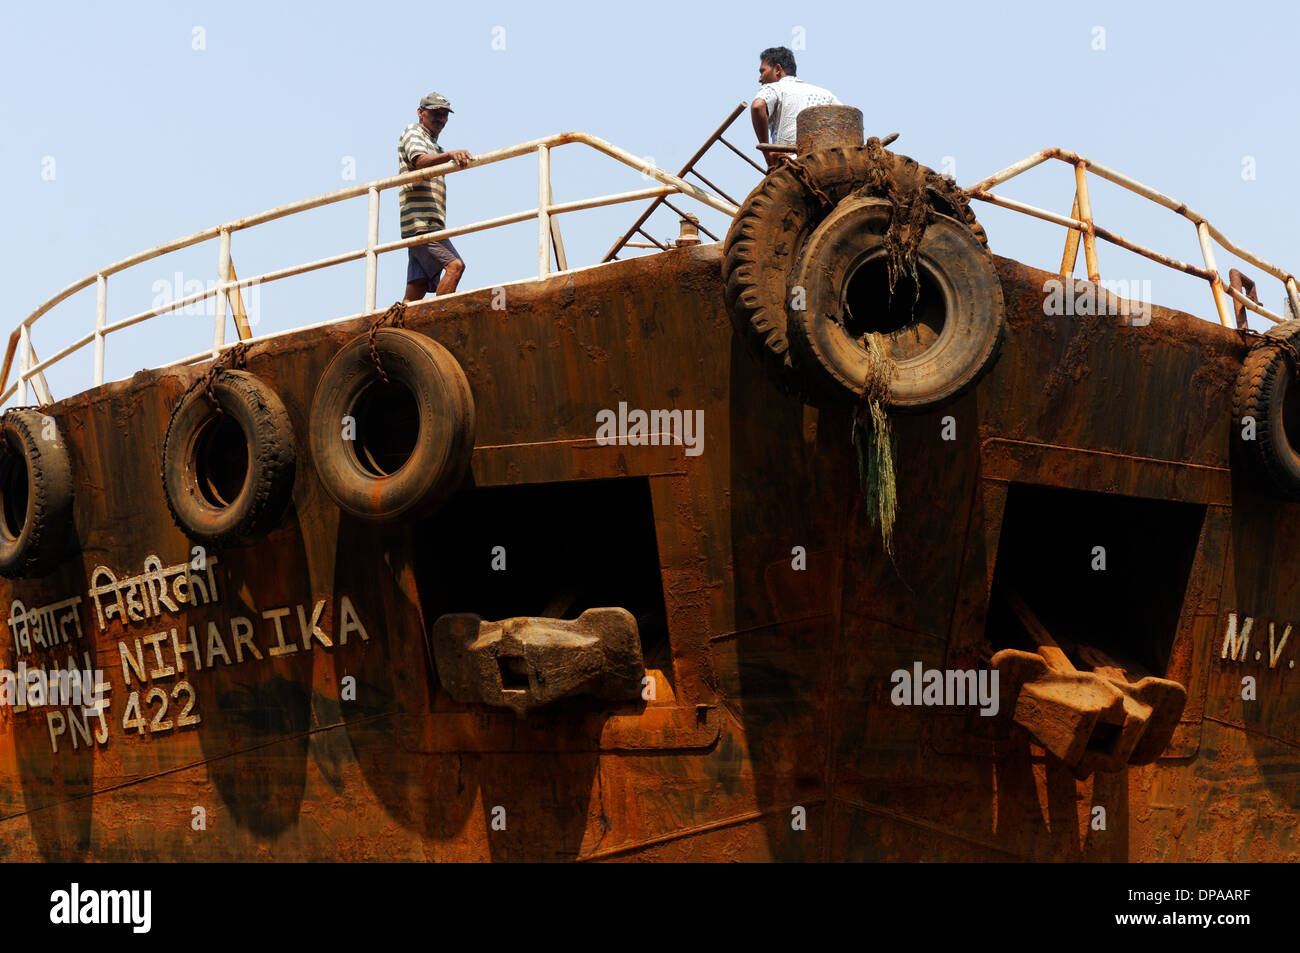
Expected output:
(131, 125)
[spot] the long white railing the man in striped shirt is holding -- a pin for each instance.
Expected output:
(31, 370)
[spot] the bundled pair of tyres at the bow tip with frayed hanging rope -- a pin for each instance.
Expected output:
(808, 232)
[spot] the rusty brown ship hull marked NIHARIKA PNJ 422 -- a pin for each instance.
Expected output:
(770, 733)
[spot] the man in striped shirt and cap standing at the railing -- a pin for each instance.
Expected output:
(424, 205)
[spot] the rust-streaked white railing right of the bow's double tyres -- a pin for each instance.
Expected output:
(1080, 224)
